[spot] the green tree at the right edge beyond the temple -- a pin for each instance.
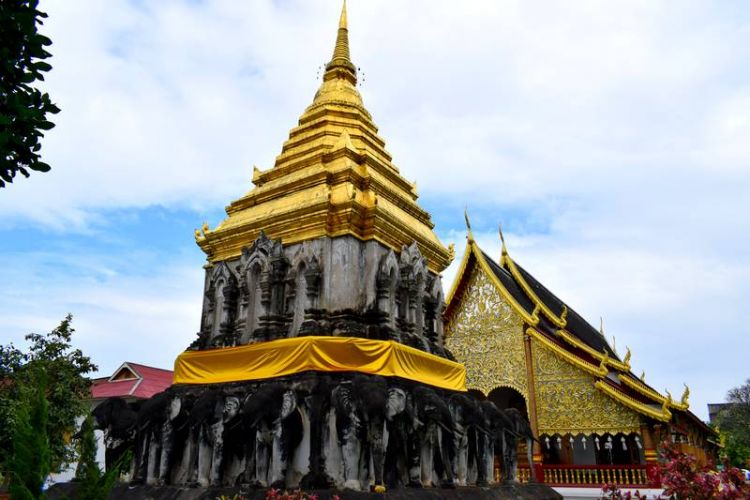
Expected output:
(734, 425)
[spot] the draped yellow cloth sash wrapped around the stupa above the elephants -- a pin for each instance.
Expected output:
(282, 357)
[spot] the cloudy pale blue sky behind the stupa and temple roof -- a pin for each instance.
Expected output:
(610, 139)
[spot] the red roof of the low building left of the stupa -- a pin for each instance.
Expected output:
(148, 381)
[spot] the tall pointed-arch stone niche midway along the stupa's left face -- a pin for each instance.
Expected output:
(263, 268)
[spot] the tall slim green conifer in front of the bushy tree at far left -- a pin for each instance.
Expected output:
(29, 454)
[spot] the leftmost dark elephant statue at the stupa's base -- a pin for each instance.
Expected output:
(117, 419)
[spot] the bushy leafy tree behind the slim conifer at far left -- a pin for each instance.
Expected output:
(66, 390)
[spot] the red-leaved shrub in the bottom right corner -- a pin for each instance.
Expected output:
(683, 478)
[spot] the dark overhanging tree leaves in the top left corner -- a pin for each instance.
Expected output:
(23, 107)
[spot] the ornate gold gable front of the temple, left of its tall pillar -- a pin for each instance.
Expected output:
(486, 335)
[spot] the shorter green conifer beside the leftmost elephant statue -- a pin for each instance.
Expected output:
(93, 483)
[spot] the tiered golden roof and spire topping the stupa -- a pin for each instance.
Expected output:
(333, 177)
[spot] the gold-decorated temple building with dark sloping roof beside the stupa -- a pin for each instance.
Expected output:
(524, 347)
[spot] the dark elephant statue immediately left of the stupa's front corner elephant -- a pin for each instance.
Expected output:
(272, 411)
